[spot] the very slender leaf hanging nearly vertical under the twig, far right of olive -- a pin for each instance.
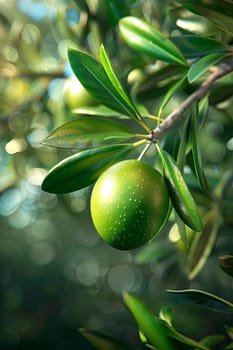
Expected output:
(196, 153)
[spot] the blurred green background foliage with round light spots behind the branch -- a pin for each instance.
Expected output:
(55, 273)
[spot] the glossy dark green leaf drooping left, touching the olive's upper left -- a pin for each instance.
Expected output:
(83, 168)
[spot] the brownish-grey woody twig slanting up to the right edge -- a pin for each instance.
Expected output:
(173, 117)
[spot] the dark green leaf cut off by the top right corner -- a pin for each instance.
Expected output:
(218, 12)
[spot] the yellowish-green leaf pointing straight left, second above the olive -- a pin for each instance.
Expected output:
(88, 132)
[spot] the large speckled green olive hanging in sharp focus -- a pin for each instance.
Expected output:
(129, 204)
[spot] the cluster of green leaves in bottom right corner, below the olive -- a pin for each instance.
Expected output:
(158, 332)
